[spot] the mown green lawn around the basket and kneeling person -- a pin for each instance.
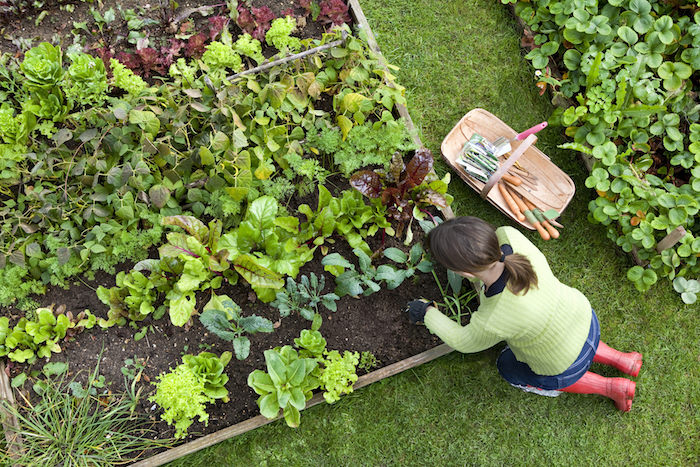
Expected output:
(456, 55)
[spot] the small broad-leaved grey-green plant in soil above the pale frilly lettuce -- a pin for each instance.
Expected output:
(222, 316)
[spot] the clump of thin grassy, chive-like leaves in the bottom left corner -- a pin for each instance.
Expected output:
(47, 438)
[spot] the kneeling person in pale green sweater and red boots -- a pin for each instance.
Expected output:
(552, 333)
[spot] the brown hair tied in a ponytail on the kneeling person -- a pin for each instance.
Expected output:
(469, 244)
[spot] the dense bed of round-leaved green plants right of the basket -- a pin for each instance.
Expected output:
(629, 70)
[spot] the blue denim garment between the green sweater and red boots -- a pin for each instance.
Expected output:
(519, 374)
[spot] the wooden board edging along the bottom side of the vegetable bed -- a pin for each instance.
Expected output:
(256, 422)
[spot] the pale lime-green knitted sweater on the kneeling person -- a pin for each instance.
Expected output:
(545, 328)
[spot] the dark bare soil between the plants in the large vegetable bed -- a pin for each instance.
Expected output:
(377, 324)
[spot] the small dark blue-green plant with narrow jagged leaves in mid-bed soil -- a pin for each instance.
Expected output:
(304, 297)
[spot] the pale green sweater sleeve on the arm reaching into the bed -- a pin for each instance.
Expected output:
(467, 339)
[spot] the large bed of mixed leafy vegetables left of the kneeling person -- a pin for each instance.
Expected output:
(171, 205)
